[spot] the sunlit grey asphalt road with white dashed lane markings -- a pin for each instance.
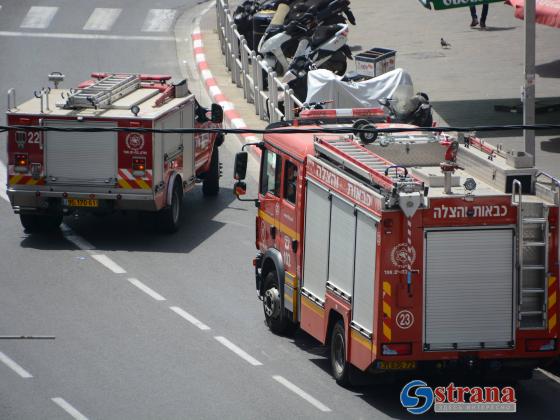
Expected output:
(147, 325)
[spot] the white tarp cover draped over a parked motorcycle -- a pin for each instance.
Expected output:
(324, 85)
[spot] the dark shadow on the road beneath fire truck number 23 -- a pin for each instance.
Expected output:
(536, 398)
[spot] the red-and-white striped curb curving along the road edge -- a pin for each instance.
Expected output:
(232, 117)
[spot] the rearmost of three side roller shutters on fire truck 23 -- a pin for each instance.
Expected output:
(364, 271)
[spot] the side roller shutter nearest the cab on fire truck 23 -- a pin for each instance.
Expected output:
(316, 251)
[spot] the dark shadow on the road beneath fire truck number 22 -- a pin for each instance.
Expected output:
(135, 232)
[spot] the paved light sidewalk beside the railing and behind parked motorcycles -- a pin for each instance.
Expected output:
(480, 70)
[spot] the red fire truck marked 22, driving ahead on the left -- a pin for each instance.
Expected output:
(55, 172)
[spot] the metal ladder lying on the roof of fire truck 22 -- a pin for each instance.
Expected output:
(104, 92)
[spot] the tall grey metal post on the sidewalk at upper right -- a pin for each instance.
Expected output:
(529, 84)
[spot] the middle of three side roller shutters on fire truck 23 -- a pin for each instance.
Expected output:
(341, 247)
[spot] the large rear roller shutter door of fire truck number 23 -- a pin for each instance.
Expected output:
(469, 288)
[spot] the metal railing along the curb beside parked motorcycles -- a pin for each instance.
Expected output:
(248, 71)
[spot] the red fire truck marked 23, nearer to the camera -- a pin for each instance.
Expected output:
(412, 250)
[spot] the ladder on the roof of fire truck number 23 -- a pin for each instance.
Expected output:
(364, 162)
